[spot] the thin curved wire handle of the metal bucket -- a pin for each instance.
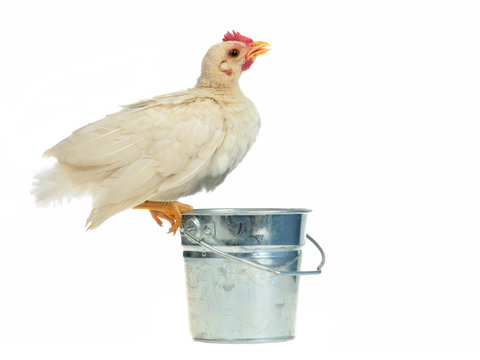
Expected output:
(255, 265)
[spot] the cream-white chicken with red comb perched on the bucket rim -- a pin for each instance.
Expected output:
(155, 151)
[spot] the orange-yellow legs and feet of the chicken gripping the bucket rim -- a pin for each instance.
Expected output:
(168, 210)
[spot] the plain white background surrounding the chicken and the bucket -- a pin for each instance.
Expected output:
(370, 116)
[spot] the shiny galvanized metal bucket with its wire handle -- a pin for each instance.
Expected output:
(242, 272)
